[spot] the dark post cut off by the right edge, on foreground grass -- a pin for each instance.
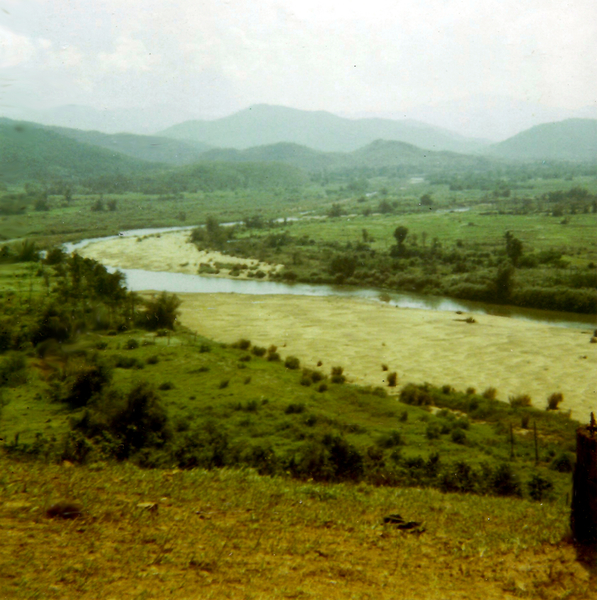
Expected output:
(583, 517)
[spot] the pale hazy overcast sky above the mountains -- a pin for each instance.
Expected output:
(212, 57)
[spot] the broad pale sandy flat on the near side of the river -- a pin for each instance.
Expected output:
(421, 345)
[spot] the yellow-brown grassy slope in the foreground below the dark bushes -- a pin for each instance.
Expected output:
(233, 534)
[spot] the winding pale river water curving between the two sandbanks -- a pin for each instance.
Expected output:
(138, 280)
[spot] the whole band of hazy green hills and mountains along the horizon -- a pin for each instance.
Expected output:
(277, 134)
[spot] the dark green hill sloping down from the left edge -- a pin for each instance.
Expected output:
(28, 153)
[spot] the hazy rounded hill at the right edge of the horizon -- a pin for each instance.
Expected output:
(570, 140)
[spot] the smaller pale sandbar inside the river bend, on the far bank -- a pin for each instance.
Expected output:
(171, 252)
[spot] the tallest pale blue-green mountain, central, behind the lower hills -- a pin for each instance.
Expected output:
(262, 125)
